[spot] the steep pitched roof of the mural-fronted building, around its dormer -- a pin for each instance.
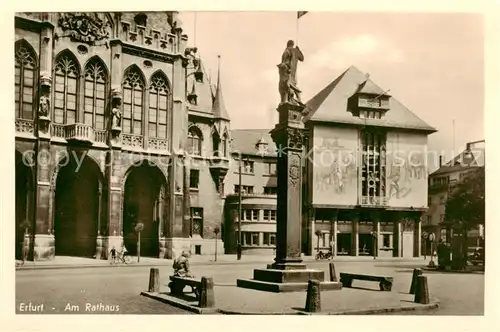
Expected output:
(331, 105)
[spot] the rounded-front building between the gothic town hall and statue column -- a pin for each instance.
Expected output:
(256, 151)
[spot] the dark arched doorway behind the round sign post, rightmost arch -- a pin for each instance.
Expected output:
(143, 202)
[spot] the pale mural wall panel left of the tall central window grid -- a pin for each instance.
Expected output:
(334, 166)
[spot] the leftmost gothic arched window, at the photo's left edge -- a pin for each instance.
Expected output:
(25, 81)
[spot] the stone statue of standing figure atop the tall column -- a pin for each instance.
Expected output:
(288, 89)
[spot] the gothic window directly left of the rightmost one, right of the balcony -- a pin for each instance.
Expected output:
(133, 90)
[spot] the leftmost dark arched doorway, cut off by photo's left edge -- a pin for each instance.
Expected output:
(24, 203)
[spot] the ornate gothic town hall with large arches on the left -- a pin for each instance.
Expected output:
(118, 129)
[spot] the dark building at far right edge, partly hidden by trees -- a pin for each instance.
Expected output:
(442, 180)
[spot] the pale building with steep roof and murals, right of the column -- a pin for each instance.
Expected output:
(367, 170)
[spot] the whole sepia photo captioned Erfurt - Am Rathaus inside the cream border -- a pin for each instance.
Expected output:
(249, 163)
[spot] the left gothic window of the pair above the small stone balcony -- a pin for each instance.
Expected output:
(65, 89)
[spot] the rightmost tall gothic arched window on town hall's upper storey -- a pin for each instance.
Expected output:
(159, 91)
